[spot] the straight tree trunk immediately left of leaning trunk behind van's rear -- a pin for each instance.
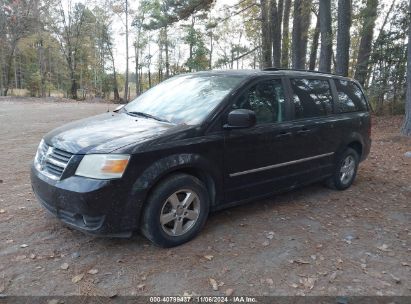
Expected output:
(343, 37)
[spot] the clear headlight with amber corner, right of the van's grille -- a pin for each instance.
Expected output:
(103, 166)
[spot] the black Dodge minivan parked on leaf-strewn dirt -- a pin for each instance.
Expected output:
(200, 142)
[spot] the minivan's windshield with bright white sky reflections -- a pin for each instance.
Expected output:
(184, 99)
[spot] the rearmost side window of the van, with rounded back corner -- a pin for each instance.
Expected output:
(350, 97)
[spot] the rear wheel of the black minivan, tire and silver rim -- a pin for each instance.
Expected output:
(345, 170)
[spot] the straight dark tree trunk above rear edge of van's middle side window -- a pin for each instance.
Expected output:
(326, 36)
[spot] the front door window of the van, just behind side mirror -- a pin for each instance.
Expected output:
(266, 99)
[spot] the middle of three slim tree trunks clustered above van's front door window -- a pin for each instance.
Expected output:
(276, 21)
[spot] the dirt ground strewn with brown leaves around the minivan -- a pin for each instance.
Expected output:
(312, 241)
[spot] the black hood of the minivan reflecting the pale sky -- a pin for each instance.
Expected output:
(107, 132)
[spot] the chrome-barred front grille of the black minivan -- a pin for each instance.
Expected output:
(52, 161)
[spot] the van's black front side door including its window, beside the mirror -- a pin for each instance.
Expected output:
(254, 157)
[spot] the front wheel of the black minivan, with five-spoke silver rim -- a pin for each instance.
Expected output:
(166, 221)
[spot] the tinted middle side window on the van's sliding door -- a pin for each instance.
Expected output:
(311, 97)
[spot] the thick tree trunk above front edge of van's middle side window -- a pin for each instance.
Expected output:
(301, 24)
